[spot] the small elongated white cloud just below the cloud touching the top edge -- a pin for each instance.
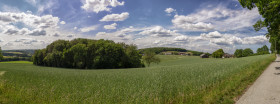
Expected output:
(116, 17)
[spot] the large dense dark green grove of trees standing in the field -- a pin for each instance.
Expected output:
(88, 54)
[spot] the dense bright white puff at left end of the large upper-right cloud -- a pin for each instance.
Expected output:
(190, 24)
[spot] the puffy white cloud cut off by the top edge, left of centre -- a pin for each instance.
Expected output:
(100, 5)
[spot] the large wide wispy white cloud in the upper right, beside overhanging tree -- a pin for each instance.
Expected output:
(217, 18)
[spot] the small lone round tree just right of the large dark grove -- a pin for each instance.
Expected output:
(150, 57)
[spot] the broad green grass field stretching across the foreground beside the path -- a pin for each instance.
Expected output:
(177, 79)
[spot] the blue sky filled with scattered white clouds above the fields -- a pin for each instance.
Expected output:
(200, 25)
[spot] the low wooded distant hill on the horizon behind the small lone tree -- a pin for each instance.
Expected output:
(158, 50)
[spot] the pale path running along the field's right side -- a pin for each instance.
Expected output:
(266, 89)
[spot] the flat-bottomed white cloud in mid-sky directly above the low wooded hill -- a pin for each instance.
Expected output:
(158, 31)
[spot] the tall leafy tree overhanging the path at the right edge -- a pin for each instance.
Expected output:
(269, 9)
